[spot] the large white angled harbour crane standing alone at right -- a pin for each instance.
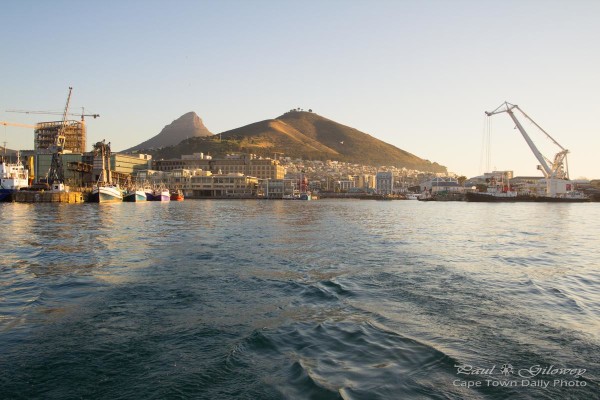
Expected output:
(555, 171)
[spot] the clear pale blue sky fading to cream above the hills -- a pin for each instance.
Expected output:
(416, 74)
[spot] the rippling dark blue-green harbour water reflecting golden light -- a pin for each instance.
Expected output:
(326, 299)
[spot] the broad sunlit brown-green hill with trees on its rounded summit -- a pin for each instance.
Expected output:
(304, 135)
